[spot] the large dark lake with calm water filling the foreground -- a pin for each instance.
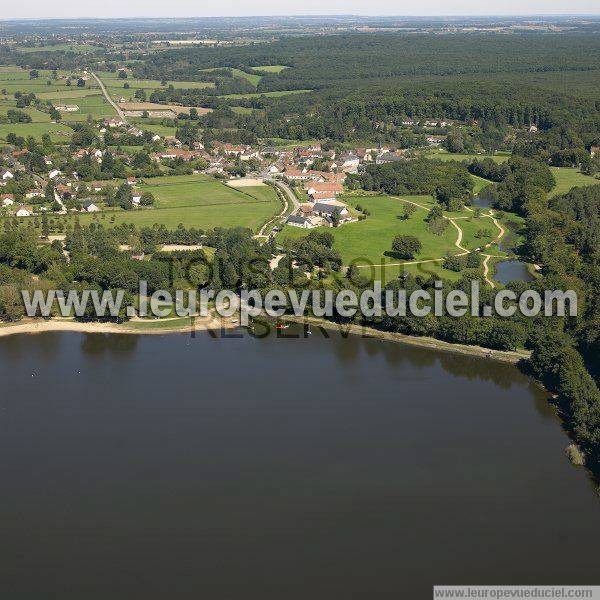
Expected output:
(166, 467)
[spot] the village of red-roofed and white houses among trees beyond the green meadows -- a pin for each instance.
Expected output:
(62, 181)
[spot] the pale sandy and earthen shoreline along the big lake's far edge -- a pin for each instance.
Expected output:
(213, 323)
